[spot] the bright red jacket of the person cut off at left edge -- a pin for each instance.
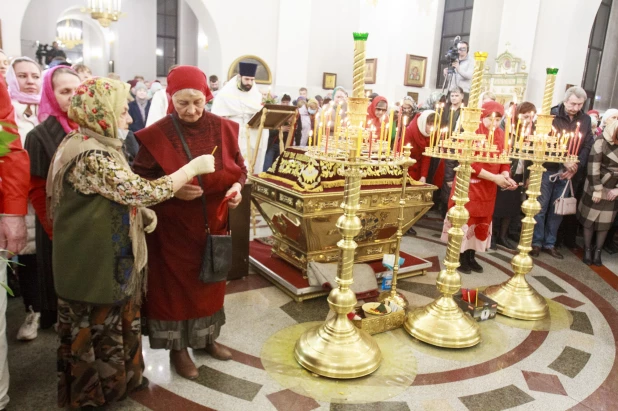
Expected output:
(15, 166)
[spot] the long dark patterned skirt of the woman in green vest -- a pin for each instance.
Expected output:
(100, 356)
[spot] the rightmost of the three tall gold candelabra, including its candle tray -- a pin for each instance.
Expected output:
(516, 298)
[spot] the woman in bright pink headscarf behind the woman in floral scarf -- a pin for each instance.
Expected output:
(59, 85)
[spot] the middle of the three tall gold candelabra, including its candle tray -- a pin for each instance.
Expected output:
(442, 322)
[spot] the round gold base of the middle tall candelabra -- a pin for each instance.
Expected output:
(444, 324)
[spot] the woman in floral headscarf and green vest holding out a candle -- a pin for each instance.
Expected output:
(99, 277)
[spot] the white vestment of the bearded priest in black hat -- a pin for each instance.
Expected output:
(240, 106)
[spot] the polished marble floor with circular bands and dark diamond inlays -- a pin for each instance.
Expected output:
(566, 362)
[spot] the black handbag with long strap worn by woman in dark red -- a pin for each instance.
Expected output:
(217, 256)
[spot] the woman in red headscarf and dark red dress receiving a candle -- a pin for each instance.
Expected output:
(182, 311)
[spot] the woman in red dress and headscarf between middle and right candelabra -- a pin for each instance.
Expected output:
(485, 180)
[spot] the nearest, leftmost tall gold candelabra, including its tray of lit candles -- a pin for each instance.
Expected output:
(337, 348)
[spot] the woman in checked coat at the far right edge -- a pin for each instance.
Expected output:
(598, 206)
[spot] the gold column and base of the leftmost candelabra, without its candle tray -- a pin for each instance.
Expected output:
(338, 349)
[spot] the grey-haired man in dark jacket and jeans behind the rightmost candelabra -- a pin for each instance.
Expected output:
(569, 115)
